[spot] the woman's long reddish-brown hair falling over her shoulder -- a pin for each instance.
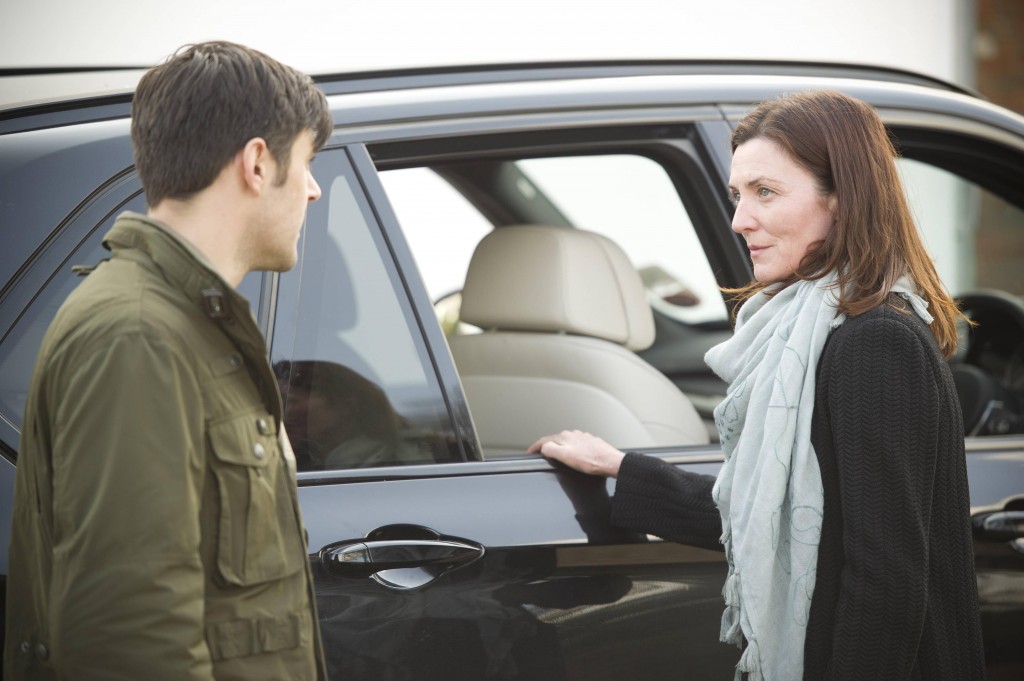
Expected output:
(874, 241)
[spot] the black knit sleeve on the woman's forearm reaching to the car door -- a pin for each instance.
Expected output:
(656, 498)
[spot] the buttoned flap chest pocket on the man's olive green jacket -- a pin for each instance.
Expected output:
(258, 529)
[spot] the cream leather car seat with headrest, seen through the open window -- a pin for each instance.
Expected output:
(564, 312)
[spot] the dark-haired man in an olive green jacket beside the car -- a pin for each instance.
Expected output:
(157, 532)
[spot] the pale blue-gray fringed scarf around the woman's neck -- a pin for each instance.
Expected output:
(770, 490)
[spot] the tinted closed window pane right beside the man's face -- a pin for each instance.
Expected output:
(356, 376)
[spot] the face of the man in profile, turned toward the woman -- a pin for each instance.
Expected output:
(275, 237)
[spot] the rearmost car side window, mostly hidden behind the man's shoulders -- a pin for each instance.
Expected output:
(18, 355)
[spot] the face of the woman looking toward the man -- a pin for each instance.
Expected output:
(780, 211)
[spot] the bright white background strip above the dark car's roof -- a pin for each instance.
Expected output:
(348, 35)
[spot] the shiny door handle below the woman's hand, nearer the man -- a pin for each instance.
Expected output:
(356, 560)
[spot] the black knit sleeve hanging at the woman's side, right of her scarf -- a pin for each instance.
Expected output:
(883, 402)
